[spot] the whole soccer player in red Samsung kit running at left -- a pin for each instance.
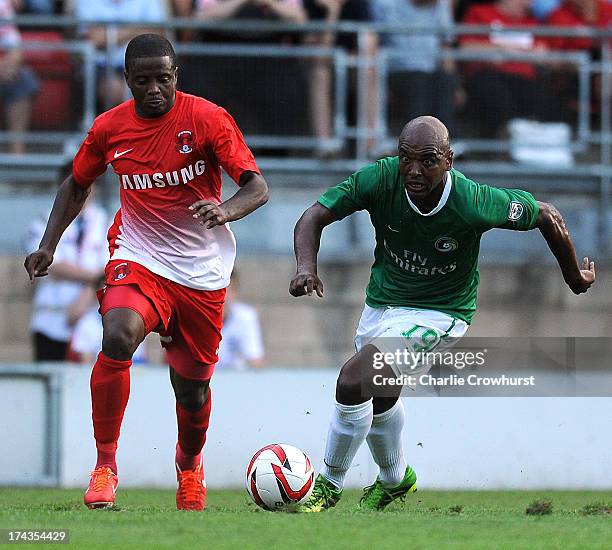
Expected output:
(172, 251)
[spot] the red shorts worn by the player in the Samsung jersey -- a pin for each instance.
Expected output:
(189, 321)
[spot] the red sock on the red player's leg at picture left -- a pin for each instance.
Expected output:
(110, 390)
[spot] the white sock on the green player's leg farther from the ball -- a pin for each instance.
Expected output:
(385, 442)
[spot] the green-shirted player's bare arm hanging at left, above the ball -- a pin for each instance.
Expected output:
(306, 243)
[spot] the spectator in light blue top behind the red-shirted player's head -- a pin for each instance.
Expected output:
(111, 83)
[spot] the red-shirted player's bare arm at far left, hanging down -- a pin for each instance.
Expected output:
(69, 201)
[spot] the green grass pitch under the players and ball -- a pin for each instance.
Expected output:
(428, 519)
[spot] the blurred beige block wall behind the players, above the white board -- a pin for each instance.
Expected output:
(528, 299)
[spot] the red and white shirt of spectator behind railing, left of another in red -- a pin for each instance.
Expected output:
(488, 14)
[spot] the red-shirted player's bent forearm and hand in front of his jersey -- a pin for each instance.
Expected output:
(252, 194)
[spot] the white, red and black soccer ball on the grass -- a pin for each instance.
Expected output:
(279, 477)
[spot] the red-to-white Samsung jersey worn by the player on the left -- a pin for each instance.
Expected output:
(164, 165)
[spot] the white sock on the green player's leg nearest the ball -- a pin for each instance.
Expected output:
(347, 431)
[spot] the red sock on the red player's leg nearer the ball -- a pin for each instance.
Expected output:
(192, 428)
